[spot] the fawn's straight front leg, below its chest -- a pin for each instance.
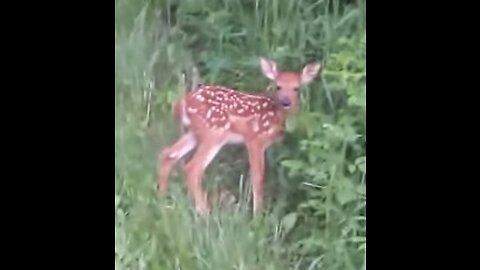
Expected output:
(256, 154)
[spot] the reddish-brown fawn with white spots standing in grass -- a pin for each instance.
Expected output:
(212, 116)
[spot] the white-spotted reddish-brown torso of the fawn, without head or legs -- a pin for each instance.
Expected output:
(217, 109)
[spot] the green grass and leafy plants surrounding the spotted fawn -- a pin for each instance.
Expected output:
(315, 193)
